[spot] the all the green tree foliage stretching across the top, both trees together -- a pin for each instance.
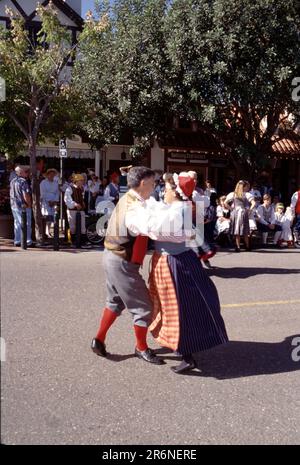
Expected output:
(226, 63)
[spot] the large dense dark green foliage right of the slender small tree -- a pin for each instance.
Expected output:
(226, 63)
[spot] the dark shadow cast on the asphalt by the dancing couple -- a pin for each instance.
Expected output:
(239, 359)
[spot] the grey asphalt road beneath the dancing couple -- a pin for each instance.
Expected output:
(56, 391)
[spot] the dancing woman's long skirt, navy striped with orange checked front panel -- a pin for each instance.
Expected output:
(186, 308)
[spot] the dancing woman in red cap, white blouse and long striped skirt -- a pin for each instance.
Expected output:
(186, 310)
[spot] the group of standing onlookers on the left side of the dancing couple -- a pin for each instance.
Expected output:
(80, 192)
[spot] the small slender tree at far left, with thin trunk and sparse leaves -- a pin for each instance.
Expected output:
(36, 77)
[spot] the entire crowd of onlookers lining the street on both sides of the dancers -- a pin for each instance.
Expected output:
(248, 211)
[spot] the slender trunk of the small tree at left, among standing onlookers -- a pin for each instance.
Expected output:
(36, 206)
